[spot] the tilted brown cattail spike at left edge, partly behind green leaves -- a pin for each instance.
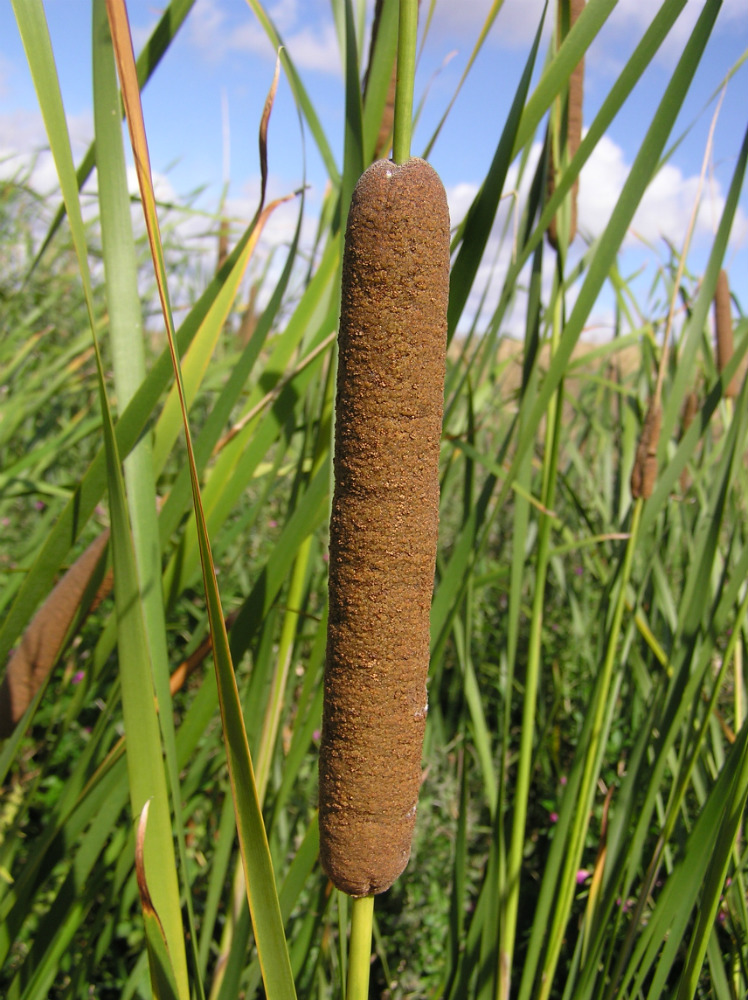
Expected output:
(42, 640)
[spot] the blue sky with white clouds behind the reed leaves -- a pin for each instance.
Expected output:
(203, 107)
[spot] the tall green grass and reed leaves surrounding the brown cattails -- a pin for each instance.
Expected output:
(579, 831)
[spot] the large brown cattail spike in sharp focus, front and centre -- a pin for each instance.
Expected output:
(383, 528)
